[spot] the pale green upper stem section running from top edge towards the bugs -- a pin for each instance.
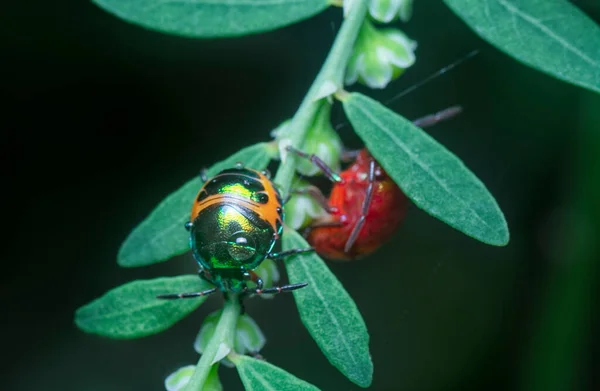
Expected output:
(329, 80)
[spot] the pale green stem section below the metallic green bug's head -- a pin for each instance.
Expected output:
(224, 334)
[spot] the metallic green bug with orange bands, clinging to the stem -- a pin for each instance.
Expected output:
(236, 220)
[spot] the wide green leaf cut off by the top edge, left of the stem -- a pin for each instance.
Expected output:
(213, 18)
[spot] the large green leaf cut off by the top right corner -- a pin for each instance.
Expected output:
(552, 36)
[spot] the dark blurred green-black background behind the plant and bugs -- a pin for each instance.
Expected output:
(103, 119)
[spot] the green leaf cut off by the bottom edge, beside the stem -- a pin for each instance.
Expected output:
(258, 375)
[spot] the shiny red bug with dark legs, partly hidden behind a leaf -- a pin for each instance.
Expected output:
(365, 206)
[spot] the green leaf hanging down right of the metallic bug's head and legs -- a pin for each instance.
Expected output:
(329, 313)
